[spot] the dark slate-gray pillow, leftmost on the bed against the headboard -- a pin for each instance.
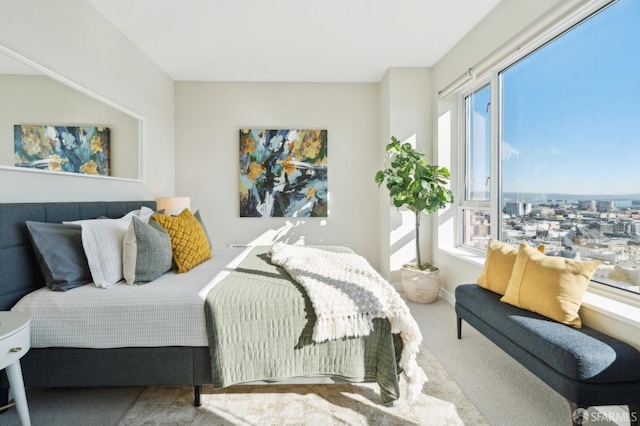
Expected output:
(60, 255)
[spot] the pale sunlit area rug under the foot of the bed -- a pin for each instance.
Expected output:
(441, 403)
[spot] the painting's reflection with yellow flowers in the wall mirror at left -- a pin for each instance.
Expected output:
(63, 148)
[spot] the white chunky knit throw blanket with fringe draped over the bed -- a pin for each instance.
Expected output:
(346, 294)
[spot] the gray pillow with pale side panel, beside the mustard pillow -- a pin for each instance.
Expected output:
(147, 252)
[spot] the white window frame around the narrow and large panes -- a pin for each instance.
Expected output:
(492, 77)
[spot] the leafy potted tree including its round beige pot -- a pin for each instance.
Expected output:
(420, 187)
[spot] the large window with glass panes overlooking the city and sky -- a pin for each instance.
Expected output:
(566, 148)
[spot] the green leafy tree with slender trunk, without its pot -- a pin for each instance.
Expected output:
(413, 183)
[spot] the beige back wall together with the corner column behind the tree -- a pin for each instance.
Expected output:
(360, 118)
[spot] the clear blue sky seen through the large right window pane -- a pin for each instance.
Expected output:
(571, 111)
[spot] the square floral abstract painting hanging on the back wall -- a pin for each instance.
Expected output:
(283, 173)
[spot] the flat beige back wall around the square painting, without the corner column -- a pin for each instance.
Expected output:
(208, 119)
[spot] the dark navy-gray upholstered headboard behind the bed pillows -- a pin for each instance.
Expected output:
(19, 271)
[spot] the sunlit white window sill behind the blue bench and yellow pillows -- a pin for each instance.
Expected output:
(598, 298)
